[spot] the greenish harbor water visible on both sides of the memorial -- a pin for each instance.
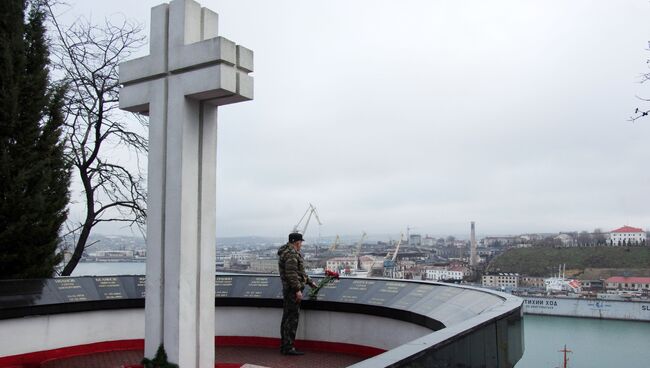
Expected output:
(595, 343)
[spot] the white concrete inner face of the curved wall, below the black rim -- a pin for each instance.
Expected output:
(39, 333)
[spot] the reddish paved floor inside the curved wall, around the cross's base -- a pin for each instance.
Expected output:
(266, 357)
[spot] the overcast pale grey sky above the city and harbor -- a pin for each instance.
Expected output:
(432, 114)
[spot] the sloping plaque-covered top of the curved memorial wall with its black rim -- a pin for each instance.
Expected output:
(439, 304)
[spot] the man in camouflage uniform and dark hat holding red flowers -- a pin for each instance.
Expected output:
(294, 278)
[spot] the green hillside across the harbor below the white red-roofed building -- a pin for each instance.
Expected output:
(542, 261)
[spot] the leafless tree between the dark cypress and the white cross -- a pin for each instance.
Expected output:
(88, 56)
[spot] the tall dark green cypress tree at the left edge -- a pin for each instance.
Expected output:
(34, 176)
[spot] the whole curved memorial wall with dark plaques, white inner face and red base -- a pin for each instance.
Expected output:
(396, 323)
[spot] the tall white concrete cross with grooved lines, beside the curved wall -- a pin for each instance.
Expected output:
(188, 73)
